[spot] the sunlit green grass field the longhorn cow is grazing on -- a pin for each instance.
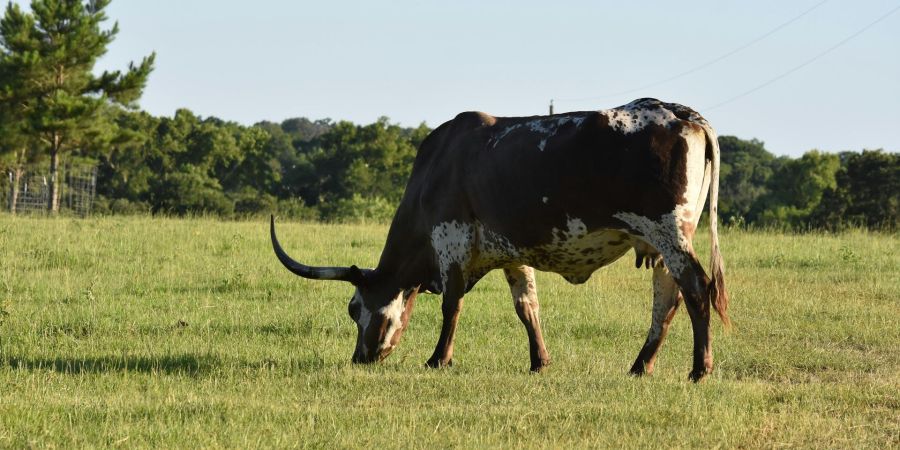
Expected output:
(144, 332)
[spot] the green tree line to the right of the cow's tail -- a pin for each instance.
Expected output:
(817, 190)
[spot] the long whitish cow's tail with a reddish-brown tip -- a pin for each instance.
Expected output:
(717, 293)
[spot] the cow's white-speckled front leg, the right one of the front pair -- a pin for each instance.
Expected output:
(524, 292)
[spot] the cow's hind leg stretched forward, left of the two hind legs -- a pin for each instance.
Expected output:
(666, 298)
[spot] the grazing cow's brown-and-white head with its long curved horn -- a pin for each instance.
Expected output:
(381, 311)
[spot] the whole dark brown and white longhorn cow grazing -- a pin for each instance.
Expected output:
(566, 193)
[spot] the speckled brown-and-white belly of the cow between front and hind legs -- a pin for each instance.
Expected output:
(574, 253)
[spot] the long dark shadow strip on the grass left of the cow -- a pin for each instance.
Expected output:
(184, 364)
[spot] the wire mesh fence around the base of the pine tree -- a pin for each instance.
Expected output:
(27, 191)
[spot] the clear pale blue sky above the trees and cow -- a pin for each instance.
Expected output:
(417, 61)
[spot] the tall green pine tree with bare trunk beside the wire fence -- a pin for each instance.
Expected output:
(46, 79)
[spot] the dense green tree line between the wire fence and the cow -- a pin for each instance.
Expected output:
(300, 168)
